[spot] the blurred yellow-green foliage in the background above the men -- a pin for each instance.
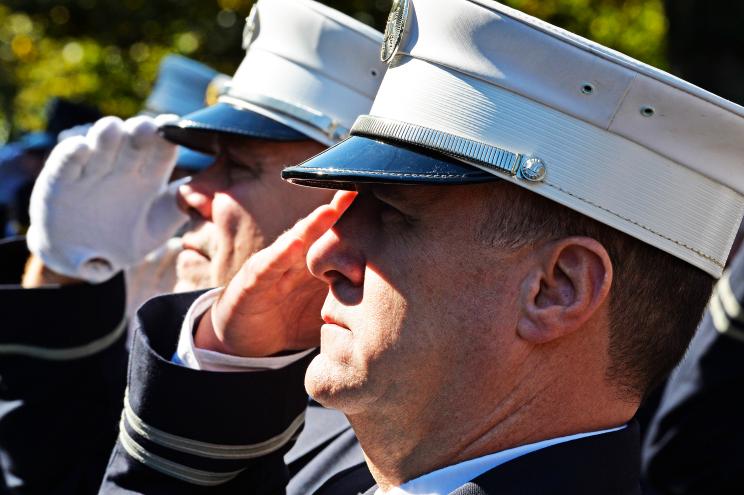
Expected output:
(106, 52)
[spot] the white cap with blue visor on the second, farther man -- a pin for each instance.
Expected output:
(308, 72)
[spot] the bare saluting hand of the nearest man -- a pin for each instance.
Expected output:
(273, 303)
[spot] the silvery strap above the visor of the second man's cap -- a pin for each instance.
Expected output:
(306, 115)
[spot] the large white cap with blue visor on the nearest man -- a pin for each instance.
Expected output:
(477, 90)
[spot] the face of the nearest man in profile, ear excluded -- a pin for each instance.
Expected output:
(416, 305)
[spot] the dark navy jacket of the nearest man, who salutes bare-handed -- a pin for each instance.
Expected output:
(188, 432)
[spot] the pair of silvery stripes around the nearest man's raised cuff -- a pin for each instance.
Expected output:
(205, 449)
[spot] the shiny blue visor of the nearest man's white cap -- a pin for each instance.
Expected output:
(363, 160)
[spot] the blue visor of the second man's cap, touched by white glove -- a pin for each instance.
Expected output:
(199, 130)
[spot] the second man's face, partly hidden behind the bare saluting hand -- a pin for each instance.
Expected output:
(239, 205)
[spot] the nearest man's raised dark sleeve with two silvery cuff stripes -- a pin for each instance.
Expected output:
(192, 431)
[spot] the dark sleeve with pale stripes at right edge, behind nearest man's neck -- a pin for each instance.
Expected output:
(695, 443)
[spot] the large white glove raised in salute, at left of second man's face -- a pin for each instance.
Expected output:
(102, 201)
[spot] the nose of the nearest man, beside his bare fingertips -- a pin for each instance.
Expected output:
(336, 258)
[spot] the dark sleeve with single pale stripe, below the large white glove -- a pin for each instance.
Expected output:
(62, 375)
